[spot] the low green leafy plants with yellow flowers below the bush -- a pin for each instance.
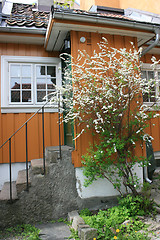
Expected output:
(120, 222)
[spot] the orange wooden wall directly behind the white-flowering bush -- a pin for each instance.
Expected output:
(82, 143)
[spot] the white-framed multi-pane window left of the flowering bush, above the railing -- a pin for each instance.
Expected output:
(26, 81)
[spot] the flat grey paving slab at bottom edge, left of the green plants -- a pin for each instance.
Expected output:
(54, 231)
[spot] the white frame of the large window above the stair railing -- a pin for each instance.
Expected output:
(9, 107)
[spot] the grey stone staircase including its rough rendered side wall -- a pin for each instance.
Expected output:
(50, 196)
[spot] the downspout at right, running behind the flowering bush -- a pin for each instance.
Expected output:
(157, 32)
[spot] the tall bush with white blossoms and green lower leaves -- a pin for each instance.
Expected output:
(104, 93)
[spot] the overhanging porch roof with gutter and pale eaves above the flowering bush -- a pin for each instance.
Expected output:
(110, 21)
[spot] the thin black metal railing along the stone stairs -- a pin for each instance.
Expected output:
(26, 143)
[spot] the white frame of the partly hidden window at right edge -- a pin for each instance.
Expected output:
(148, 67)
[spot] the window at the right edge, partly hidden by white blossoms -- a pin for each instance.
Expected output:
(154, 91)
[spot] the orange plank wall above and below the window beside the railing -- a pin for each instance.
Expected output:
(10, 122)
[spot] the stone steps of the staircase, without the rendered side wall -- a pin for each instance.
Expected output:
(36, 168)
